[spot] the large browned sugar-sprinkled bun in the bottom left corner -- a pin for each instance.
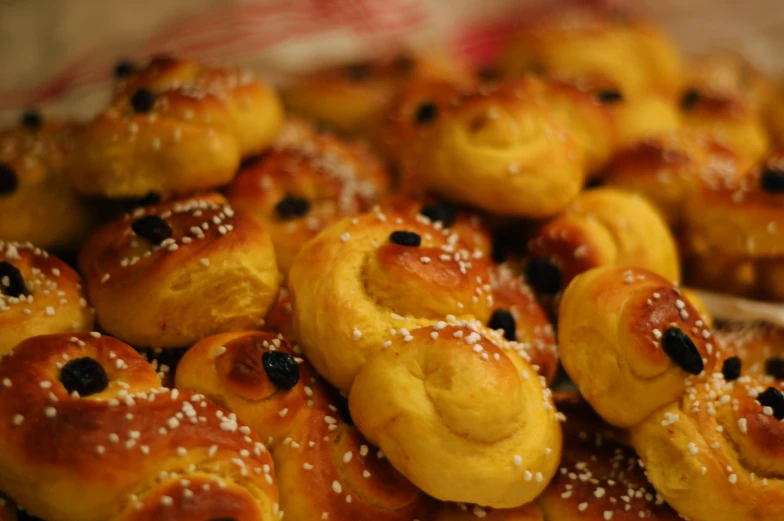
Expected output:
(126, 440)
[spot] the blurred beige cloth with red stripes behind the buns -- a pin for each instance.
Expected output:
(60, 54)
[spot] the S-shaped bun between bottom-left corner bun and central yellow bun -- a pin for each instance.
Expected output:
(324, 466)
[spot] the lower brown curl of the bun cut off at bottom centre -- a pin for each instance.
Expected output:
(327, 468)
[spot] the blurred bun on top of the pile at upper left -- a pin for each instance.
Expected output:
(174, 128)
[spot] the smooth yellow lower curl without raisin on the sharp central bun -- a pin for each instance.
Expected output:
(460, 415)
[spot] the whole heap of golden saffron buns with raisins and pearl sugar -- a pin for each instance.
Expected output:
(349, 301)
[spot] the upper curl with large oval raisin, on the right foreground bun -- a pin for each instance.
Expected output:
(621, 340)
